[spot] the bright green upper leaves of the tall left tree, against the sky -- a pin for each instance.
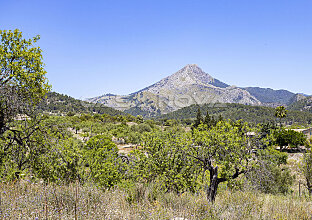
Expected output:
(22, 66)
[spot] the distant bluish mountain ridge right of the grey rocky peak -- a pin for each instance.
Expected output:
(269, 96)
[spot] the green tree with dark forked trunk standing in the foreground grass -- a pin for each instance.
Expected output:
(223, 150)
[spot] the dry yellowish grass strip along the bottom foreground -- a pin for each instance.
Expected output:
(35, 201)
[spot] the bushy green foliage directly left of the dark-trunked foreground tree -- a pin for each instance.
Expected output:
(163, 161)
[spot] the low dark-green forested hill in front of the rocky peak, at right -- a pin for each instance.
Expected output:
(252, 114)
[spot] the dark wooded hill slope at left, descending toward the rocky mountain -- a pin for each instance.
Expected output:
(57, 103)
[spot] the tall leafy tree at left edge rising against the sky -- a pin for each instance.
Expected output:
(22, 81)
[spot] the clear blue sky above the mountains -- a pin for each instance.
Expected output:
(96, 47)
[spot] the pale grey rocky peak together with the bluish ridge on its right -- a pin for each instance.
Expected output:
(191, 85)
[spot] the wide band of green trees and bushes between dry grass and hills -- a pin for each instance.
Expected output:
(172, 158)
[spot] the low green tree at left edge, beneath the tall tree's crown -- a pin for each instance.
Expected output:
(25, 147)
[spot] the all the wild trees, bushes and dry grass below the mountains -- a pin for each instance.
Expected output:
(72, 166)
